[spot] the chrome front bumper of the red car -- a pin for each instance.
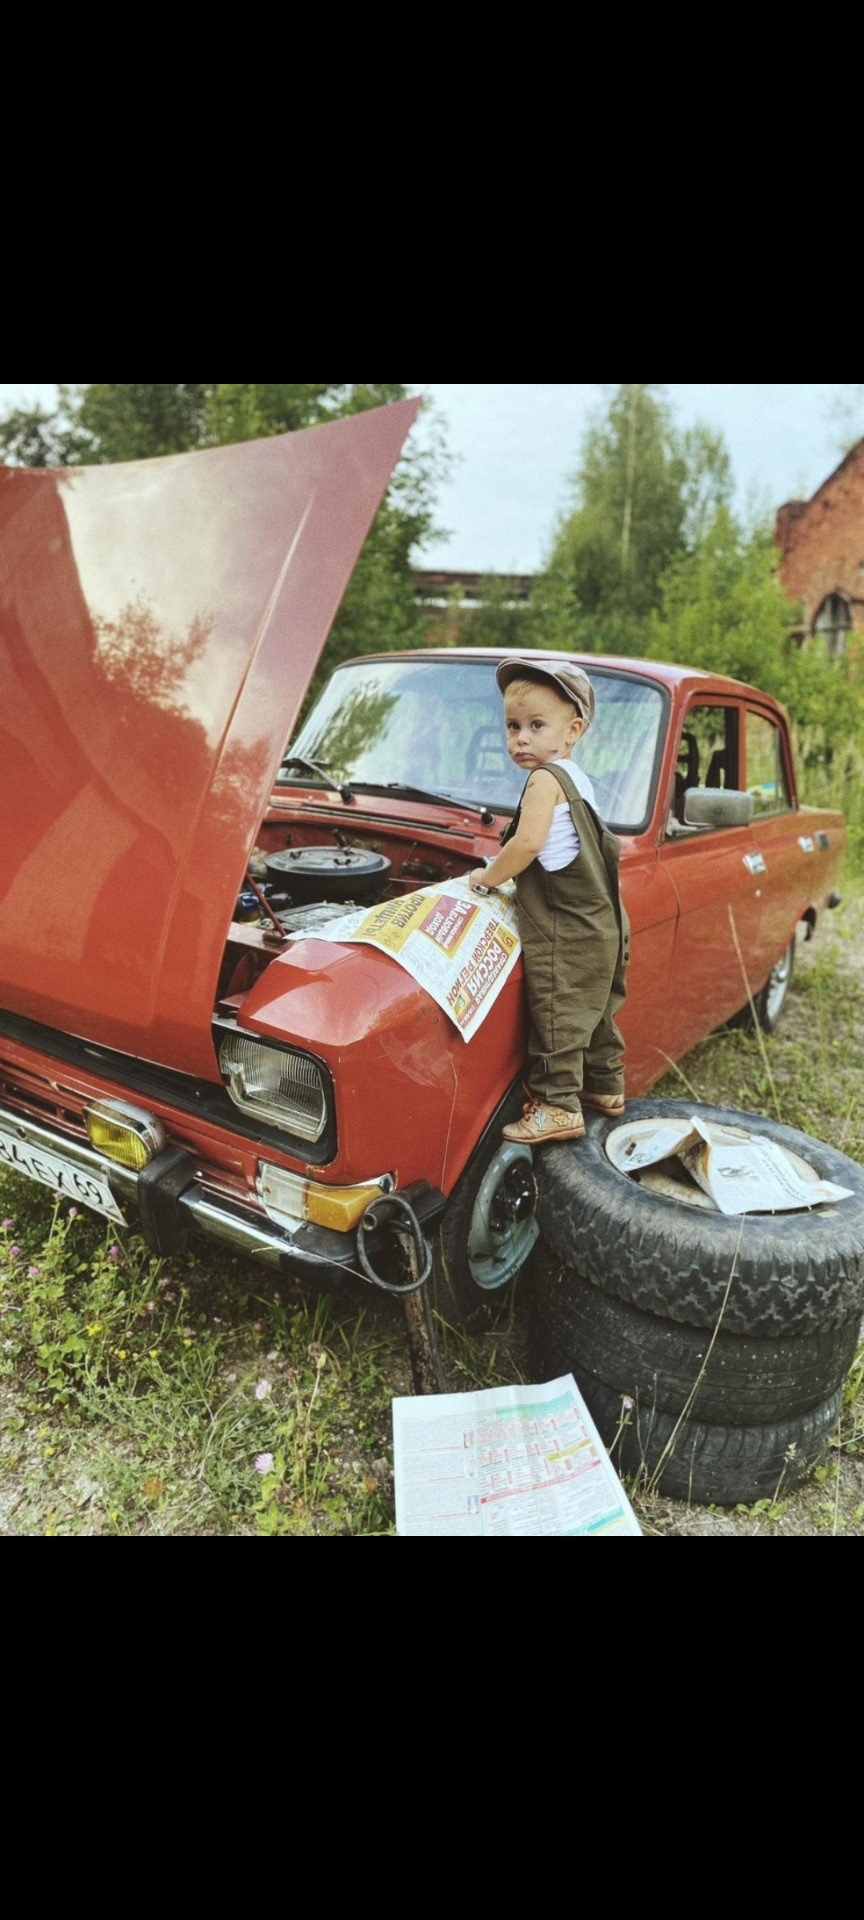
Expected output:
(174, 1205)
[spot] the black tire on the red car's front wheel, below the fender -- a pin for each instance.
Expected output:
(489, 1230)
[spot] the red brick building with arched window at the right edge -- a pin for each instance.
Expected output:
(823, 558)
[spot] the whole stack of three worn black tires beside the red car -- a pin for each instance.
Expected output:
(709, 1349)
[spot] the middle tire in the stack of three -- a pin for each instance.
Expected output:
(660, 1362)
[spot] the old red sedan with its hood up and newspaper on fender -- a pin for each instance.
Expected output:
(168, 1044)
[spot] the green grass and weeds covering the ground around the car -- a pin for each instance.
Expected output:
(201, 1397)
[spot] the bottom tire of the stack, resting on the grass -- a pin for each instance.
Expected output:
(706, 1464)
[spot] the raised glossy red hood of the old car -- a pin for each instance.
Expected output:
(160, 625)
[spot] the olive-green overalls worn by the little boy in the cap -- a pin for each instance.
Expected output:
(577, 946)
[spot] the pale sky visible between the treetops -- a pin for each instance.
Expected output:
(517, 448)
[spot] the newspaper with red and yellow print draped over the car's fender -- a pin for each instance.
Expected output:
(456, 944)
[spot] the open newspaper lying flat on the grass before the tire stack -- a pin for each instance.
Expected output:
(512, 1460)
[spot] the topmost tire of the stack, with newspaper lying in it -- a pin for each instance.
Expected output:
(792, 1274)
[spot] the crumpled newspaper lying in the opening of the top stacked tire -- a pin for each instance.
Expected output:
(740, 1172)
